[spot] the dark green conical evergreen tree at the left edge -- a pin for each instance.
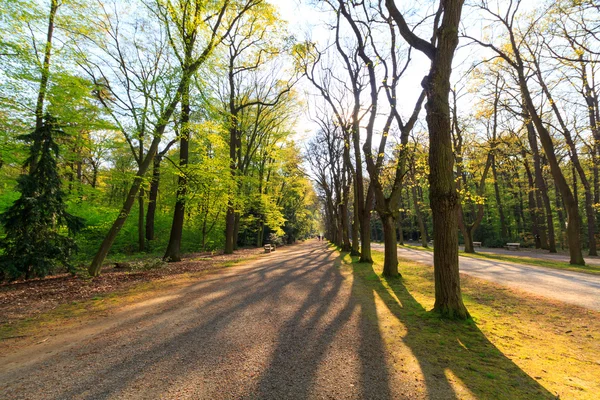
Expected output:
(35, 225)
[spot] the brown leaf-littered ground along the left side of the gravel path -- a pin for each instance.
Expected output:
(23, 303)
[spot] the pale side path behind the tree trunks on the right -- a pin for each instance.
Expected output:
(571, 287)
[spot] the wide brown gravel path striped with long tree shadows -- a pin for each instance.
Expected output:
(286, 326)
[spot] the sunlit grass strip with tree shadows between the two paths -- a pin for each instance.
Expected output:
(516, 347)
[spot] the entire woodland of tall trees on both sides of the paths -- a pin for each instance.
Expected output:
(169, 126)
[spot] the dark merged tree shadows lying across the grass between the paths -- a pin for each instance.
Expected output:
(450, 350)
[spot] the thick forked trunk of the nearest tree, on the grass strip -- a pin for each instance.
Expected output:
(443, 196)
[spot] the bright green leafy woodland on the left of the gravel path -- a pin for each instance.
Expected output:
(166, 127)
